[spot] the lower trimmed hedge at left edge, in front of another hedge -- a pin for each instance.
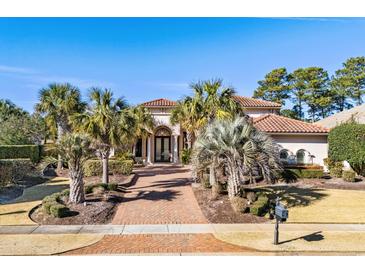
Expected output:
(13, 170)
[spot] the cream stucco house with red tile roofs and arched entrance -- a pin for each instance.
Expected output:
(300, 142)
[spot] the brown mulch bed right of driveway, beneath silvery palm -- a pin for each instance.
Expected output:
(220, 210)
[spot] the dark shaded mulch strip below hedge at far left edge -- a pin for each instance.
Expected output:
(14, 191)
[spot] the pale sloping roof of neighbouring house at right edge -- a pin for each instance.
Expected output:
(356, 113)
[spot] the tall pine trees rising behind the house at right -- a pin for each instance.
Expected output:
(313, 92)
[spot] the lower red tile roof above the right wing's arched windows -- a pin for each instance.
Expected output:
(273, 123)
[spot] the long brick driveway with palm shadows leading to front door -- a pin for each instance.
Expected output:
(161, 195)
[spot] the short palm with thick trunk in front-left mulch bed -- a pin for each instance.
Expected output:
(76, 150)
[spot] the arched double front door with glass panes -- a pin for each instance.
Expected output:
(163, 145)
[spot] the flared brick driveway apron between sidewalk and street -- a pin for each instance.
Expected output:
(159, 243)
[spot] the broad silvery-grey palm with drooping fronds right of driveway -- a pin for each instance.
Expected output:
(240, 148)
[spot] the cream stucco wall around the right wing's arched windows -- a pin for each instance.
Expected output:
(314, 144)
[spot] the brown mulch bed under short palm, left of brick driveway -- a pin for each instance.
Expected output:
(98, 210)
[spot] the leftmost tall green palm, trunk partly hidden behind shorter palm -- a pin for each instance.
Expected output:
(58, 102)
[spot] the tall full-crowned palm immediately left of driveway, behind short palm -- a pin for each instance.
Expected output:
(108, 122)
